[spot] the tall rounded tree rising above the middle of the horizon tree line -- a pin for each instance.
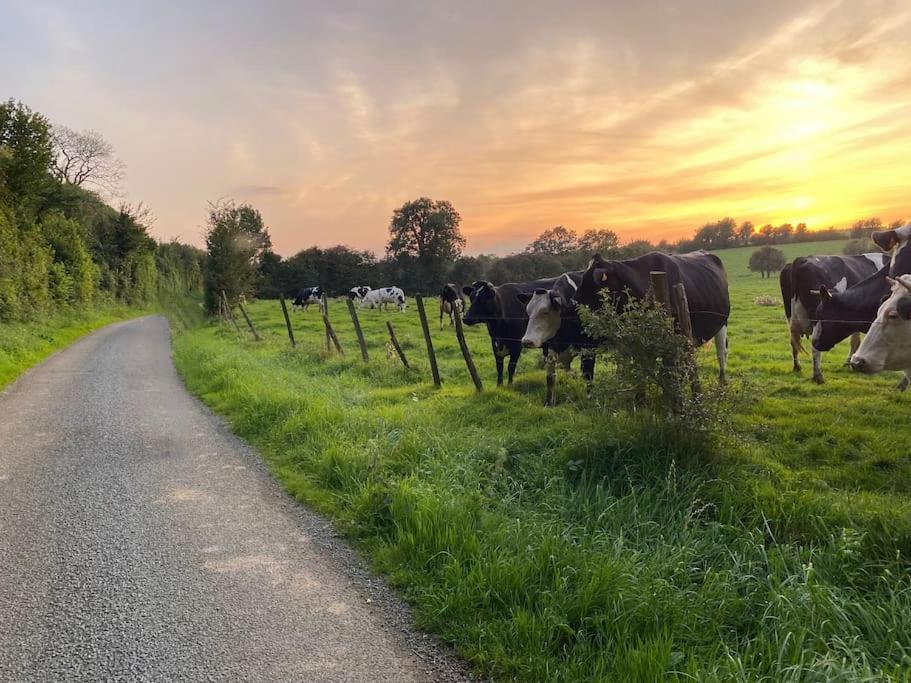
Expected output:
(425, 233)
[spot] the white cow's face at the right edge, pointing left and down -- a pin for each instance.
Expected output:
(887, 345)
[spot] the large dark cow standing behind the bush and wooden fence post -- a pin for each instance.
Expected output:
(702, 274)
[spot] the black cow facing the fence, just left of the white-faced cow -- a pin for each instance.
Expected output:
(500, 309)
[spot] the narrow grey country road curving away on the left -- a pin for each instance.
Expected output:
(140, 540)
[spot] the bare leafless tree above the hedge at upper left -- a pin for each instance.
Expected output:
(86, 158)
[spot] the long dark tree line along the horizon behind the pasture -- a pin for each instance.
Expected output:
(425, 245)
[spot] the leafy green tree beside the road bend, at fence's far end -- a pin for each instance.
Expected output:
(236, 239)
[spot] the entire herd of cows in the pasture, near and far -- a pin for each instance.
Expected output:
(826, 298)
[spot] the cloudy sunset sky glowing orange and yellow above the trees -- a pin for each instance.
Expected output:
(650, 118)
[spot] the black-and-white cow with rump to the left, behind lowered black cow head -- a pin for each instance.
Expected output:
(801, 283)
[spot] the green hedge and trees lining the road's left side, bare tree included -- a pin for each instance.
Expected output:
(61, 243)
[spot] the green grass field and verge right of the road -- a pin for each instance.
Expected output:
(580, 544)
